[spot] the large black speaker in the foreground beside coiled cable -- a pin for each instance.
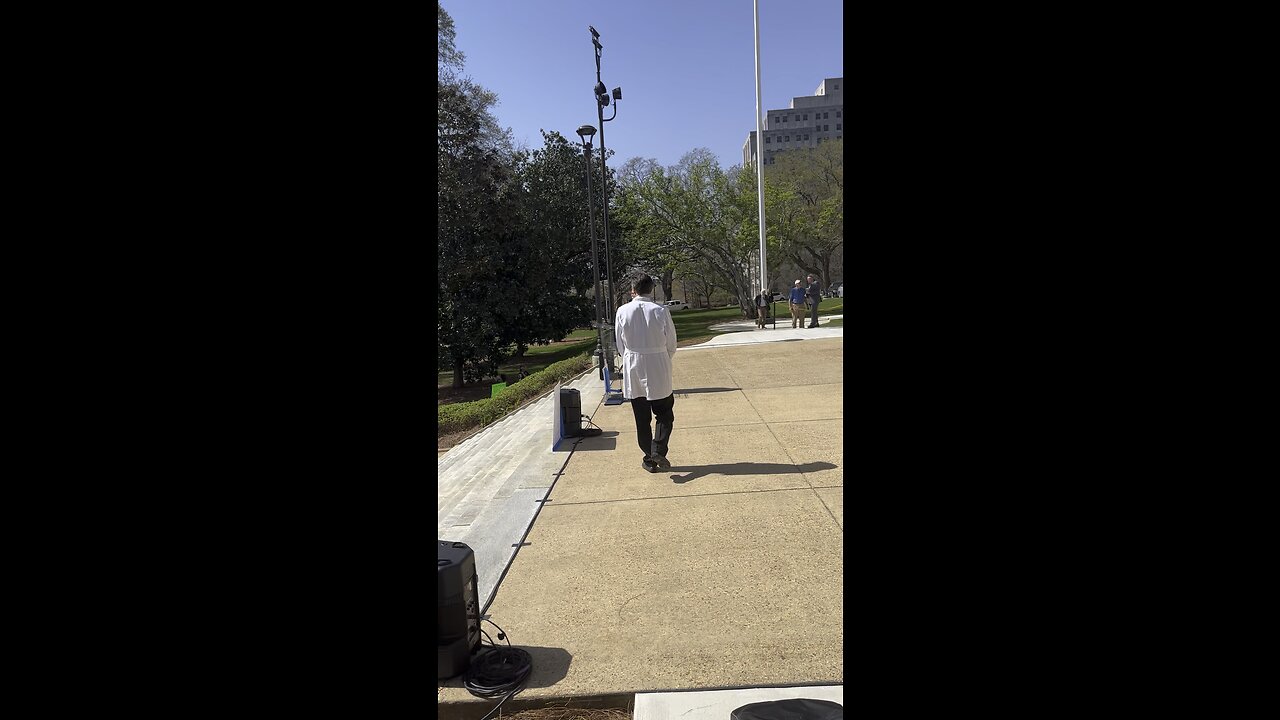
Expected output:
(459, 608)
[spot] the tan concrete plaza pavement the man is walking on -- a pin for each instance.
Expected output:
(725, 571)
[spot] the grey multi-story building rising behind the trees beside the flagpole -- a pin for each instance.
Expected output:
(810, 121)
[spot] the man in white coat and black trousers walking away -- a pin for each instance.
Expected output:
(647, 344)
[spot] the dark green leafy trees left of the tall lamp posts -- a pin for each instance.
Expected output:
(511, 235)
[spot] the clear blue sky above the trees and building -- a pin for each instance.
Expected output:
(687, 69)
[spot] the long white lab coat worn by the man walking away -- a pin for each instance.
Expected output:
(646, 338)
